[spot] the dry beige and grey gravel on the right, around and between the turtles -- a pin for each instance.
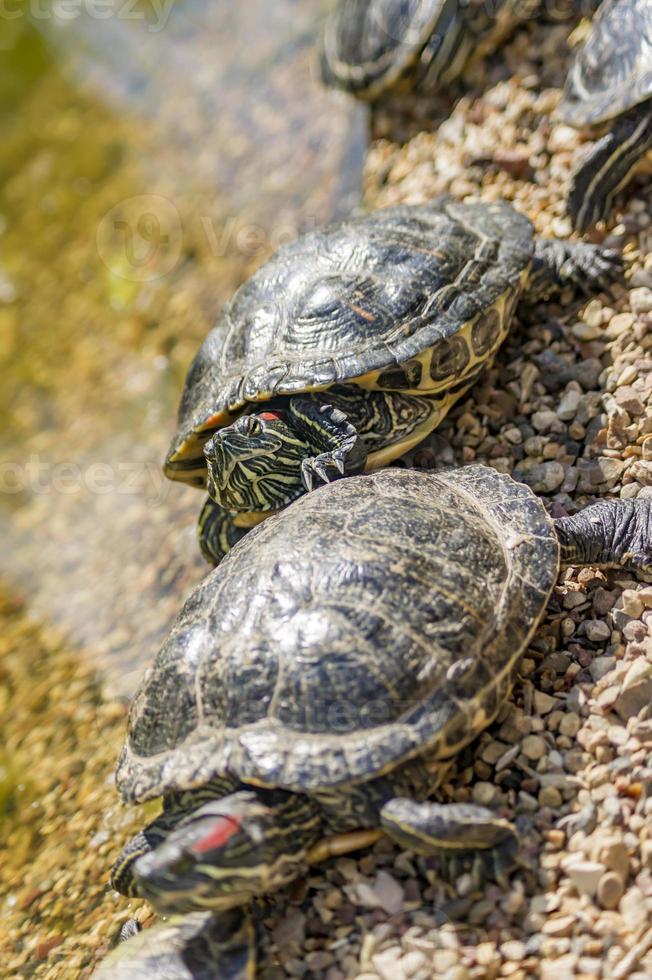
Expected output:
(567, 409)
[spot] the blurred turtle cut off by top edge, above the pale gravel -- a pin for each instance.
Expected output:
(370, 47)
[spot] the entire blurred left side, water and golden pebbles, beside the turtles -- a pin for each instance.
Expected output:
(152, 155)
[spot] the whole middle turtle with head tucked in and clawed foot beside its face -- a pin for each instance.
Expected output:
(348, 347)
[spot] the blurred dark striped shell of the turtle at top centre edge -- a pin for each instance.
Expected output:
(369, 44)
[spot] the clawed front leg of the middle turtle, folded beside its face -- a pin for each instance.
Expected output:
(340, 450)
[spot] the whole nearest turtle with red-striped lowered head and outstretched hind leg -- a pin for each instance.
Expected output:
(318, 683)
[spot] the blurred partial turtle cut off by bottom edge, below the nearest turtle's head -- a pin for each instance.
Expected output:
(200, 944)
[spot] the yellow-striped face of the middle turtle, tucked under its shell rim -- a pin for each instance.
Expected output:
(254, 464)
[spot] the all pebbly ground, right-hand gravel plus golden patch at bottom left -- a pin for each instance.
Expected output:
(566, 408)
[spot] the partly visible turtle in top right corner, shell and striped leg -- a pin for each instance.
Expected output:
(610, 82)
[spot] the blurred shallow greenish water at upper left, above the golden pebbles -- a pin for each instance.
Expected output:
(151, 160)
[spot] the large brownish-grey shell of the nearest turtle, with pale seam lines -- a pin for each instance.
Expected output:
(376, 618)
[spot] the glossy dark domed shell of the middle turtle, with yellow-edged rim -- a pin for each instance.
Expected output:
(359, 301)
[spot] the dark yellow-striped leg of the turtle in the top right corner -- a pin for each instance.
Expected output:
(609, 167)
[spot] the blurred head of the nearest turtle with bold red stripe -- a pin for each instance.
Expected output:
(228, 851)
